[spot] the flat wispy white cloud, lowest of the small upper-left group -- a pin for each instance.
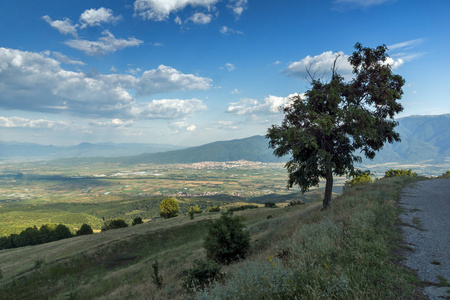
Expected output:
(105, 44)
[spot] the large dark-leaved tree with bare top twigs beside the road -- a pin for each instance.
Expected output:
(323, 130)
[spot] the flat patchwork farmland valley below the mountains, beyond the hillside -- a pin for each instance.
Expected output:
(44, 192)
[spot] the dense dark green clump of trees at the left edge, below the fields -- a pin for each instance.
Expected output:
(34, 236)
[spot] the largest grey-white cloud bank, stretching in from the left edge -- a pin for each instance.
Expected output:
(33, 82)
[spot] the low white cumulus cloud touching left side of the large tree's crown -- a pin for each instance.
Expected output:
(270, 105)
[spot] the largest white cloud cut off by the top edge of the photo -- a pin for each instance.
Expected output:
(159, 10)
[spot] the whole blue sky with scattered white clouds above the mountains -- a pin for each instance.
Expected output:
(190, 72)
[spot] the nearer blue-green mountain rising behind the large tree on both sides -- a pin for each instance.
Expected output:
(424, 138)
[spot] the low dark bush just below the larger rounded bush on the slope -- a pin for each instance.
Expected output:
(202, 275)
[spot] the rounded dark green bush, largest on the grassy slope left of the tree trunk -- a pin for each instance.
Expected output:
(227, 240)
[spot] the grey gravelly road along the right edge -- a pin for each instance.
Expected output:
(427, 212)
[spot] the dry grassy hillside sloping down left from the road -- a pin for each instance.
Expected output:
(350, 251)
